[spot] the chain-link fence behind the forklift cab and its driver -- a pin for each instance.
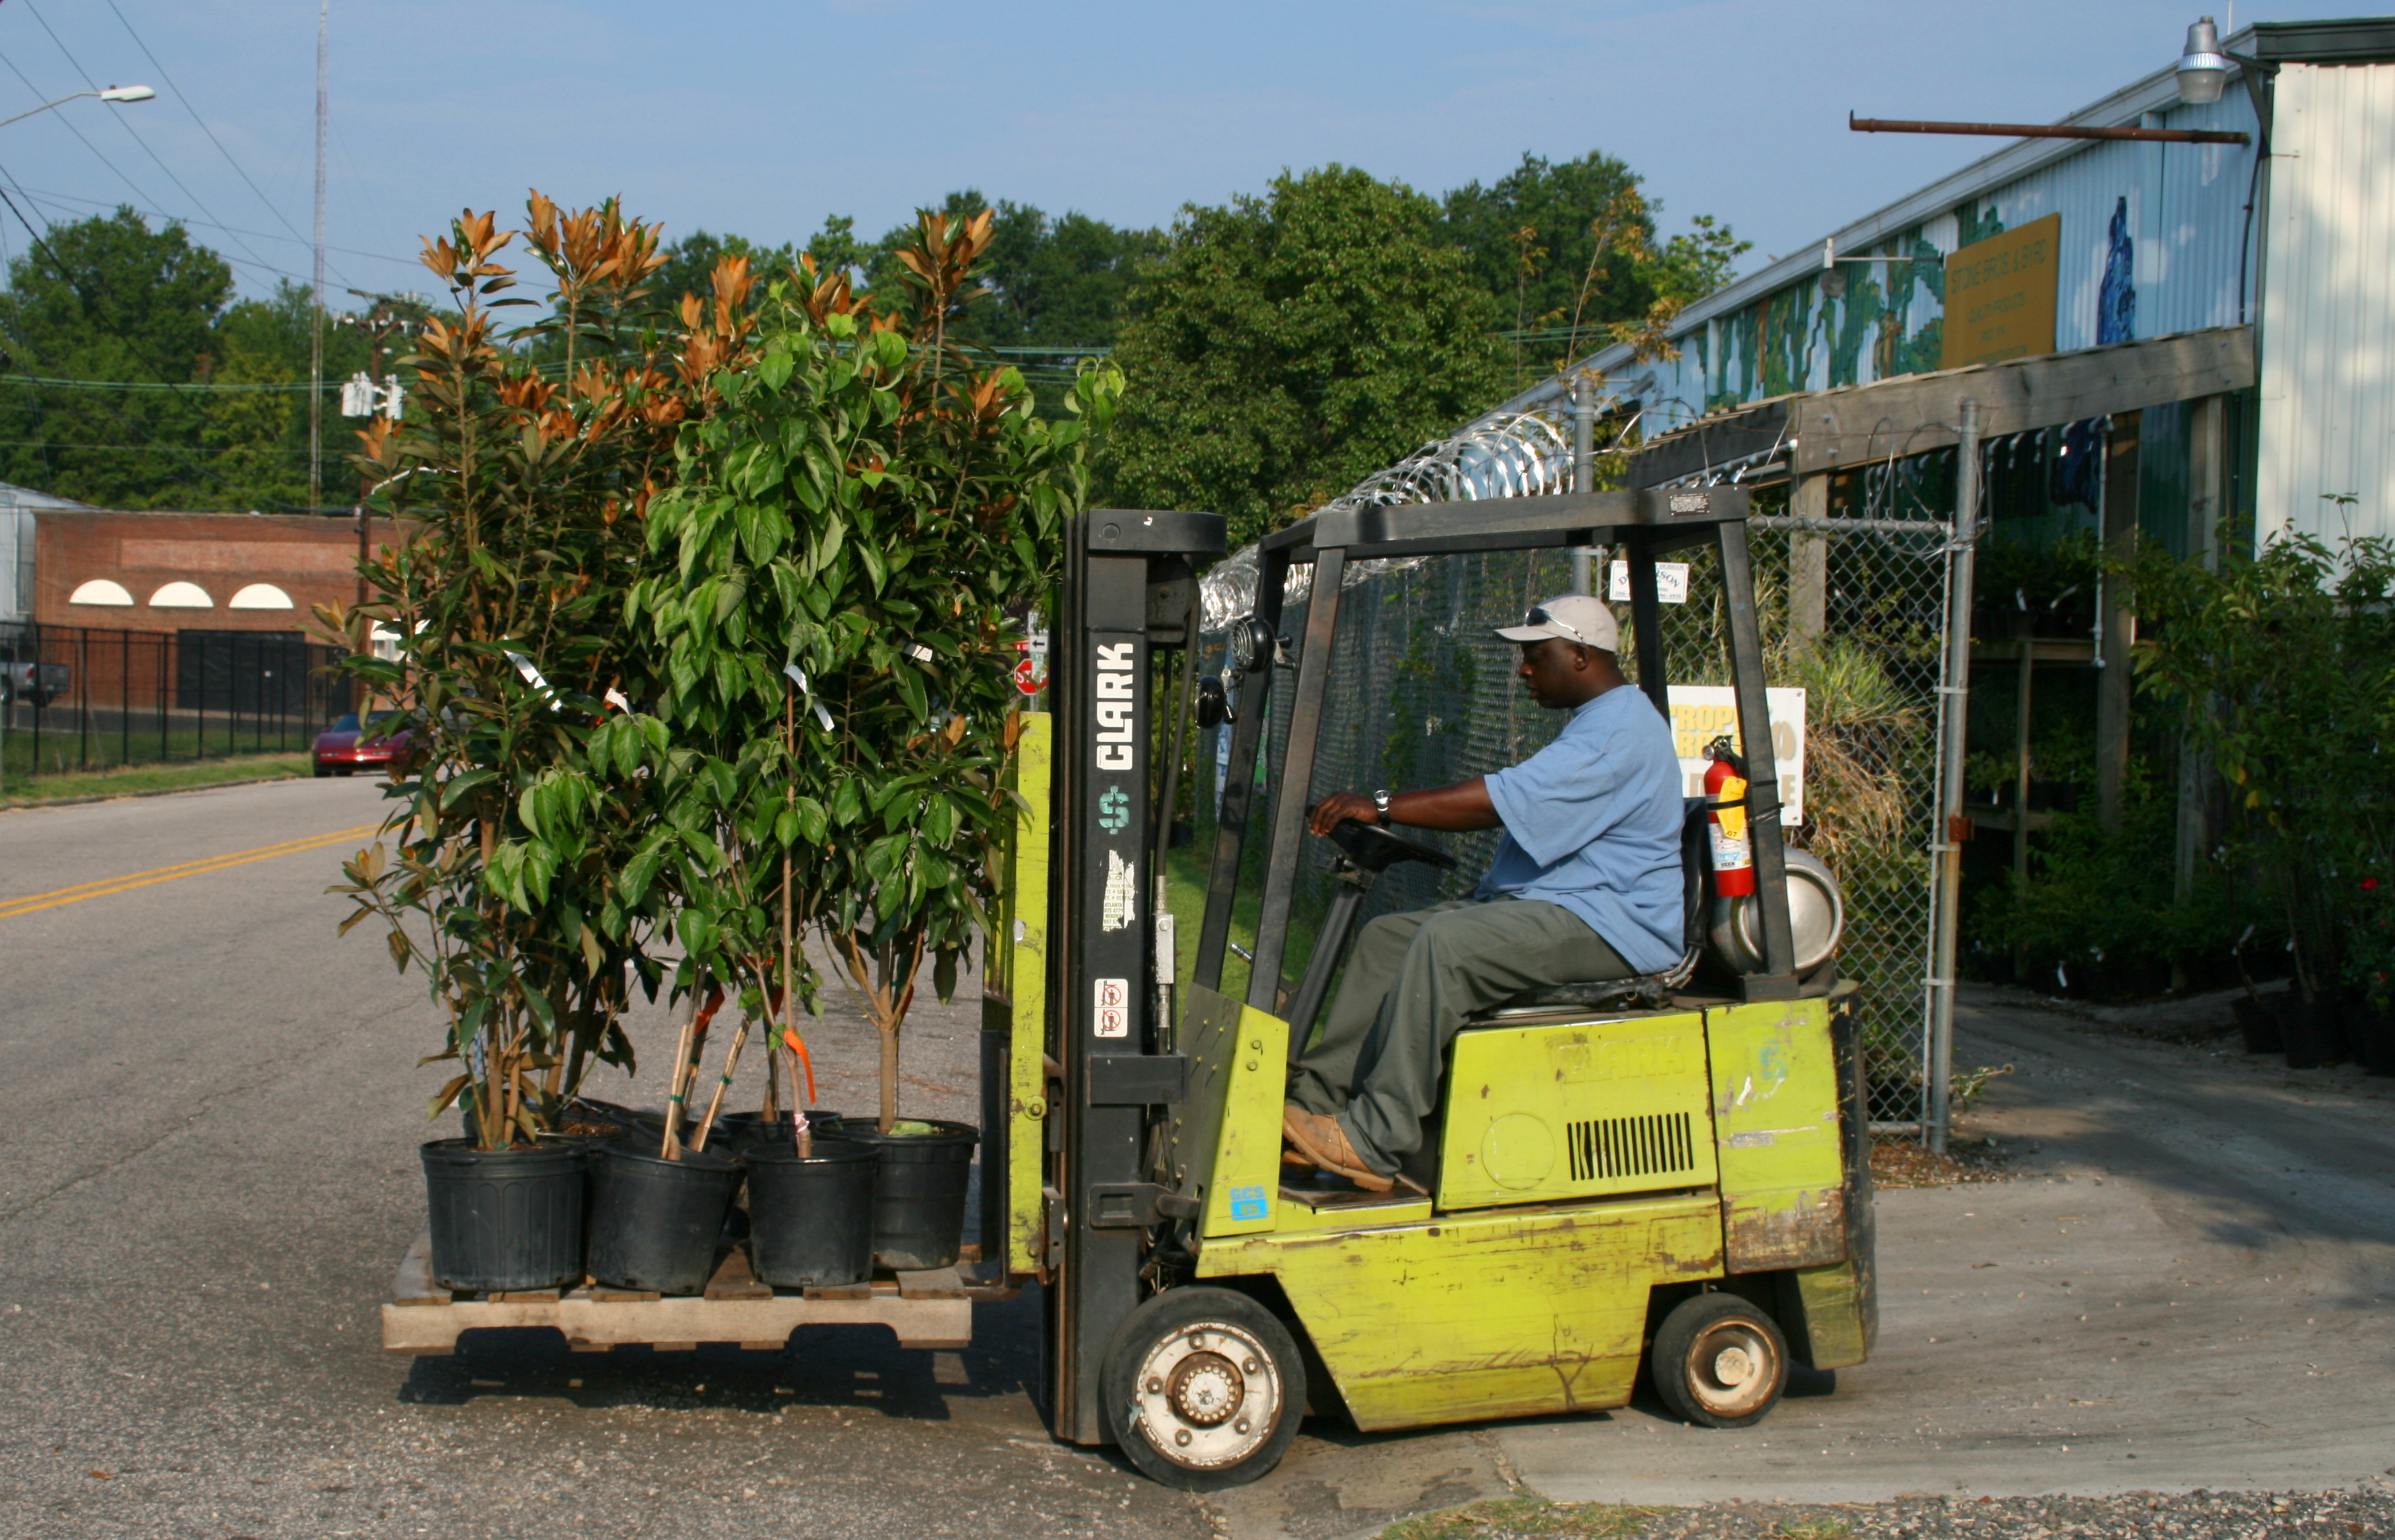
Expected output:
(1853, 614)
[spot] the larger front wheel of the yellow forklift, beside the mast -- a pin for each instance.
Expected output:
(1203, 1390)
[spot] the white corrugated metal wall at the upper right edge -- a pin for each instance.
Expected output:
(2329, 308)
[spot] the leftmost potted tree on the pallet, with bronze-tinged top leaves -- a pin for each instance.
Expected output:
(519, 861)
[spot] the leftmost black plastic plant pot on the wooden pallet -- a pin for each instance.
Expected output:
(507, 1218)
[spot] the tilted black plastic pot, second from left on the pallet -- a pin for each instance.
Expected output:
(655, 1223)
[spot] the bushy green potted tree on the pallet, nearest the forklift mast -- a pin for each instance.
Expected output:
(835, 574)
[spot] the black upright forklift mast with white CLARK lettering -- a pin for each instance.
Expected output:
(1129, 607)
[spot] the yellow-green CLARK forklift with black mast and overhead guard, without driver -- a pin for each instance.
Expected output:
(1663, 1172)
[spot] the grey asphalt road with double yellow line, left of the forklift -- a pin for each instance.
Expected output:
(207, 1182)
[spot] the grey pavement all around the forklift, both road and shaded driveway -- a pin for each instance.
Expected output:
(210, 1177)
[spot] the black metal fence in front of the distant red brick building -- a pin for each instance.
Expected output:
(83, 698)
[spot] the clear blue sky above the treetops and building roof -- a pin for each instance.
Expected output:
(765, 119)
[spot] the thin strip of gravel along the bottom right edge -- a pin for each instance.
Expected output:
(2128, 1517)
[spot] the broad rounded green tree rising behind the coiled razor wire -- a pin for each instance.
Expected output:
(1292, 344)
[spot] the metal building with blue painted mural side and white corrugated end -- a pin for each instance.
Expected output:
(2116, 241)
